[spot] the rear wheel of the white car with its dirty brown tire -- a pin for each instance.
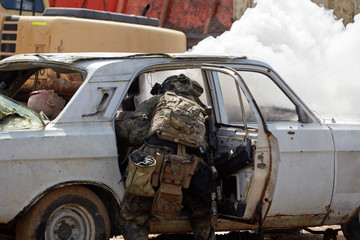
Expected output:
(73, 213)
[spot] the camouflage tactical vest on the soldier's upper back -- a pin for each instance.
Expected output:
(179, 119)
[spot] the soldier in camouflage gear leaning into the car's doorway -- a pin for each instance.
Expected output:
(175, 99)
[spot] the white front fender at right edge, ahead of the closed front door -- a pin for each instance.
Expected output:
(346, 196)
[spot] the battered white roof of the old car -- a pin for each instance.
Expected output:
(28, 64)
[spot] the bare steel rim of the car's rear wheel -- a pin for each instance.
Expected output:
(70, 222)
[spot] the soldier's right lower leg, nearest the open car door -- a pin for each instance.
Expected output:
(199, 217)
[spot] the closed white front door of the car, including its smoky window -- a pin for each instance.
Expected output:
(305, 167)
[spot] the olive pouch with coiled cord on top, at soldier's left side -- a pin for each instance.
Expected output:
(140, 169)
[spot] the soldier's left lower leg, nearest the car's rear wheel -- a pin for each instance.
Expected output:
(135, 217)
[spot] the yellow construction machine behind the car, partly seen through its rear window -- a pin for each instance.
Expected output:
(30, 26)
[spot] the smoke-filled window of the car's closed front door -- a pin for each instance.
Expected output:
(274, 105)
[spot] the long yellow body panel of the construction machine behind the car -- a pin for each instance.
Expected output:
(68, 34)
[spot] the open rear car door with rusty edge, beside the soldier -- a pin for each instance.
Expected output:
(244, 188)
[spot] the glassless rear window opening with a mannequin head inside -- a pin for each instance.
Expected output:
(60, 86)
